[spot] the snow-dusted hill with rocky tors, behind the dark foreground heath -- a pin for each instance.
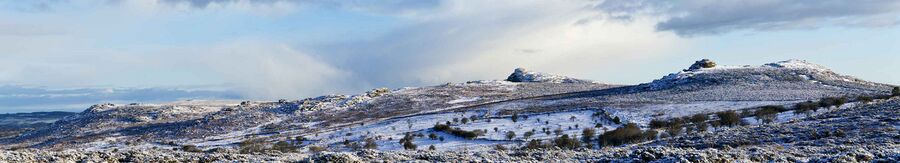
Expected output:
(546, 106)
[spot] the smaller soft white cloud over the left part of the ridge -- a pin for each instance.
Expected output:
(261, 69)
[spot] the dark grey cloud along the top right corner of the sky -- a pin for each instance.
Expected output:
(689, 18)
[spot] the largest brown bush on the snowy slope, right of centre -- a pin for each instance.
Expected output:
(630, 133)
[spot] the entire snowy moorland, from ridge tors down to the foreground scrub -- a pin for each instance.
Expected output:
(531, 116)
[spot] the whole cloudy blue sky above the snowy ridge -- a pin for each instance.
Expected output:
(274, 49)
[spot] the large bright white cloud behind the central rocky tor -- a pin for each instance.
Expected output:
(474, 40)
